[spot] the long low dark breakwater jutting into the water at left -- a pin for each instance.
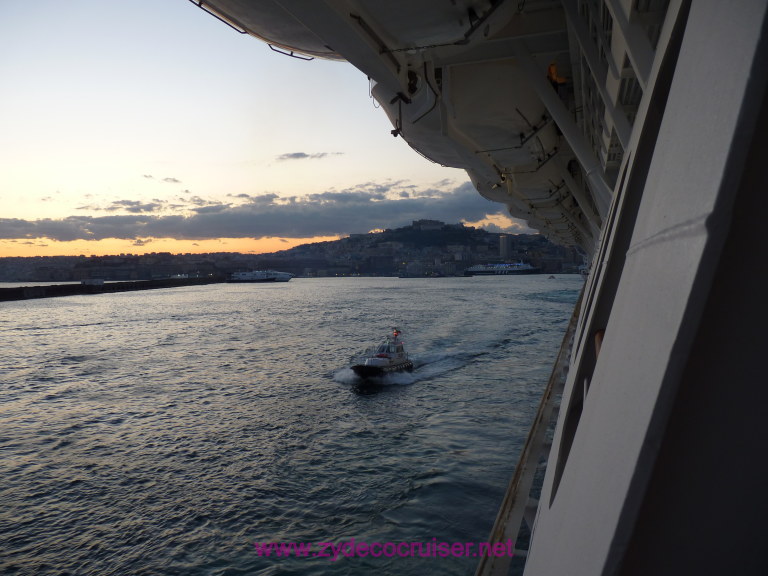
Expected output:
(56, 290)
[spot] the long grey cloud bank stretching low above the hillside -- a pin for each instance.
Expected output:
(358, 209)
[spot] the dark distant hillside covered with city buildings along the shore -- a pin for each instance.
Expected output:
(425, 248)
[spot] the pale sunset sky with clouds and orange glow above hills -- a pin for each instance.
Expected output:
(150, 126)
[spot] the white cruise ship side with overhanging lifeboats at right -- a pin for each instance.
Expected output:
(637, 130)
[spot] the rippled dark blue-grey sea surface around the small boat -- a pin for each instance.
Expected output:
(166, 431)
